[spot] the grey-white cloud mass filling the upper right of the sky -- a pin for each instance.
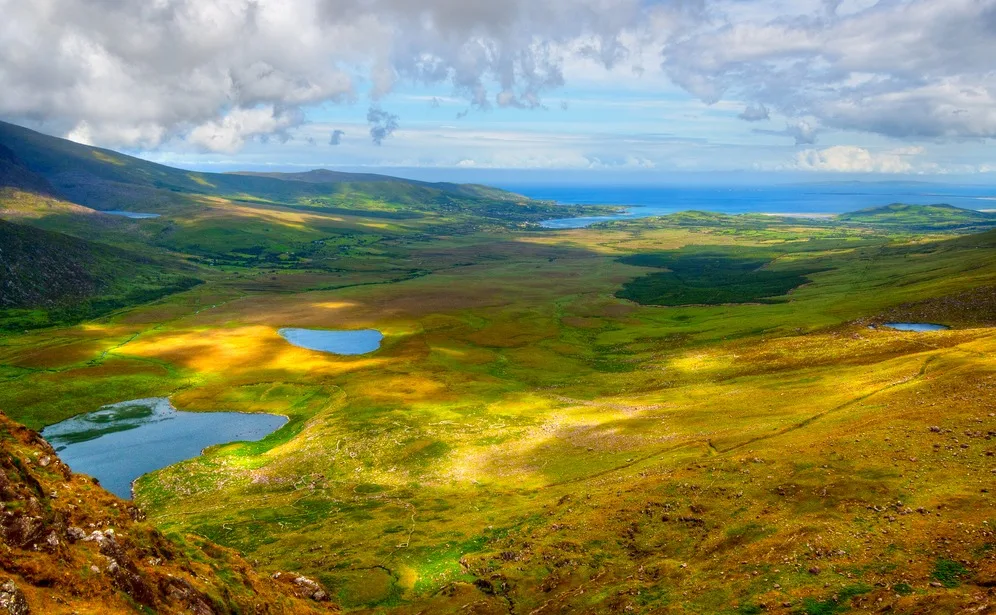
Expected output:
(900, 68)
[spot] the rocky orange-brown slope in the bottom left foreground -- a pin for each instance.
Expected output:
(68, 545)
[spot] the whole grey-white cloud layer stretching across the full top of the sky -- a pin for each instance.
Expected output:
(223, 73)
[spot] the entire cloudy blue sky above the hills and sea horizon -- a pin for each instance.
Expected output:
(539, 88)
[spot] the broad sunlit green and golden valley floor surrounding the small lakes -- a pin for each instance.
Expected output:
(689, 414)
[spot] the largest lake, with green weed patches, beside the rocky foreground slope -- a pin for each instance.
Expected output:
(119, 443)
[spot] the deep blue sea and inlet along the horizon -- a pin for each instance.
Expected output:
(804, 199)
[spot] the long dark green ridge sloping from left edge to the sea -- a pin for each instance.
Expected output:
(107, 180)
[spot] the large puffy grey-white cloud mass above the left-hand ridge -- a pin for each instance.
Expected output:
(141, 73)
